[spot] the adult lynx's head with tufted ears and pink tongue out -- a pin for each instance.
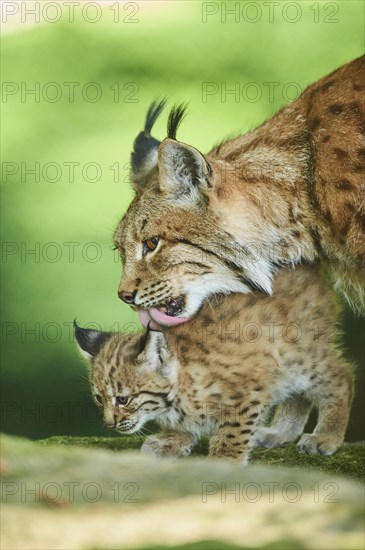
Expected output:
(177, 238)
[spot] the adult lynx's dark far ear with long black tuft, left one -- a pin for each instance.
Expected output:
(145, 147)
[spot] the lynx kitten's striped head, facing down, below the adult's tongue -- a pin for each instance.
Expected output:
(131, 376)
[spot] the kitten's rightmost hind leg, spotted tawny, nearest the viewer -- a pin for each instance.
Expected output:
(333, 393)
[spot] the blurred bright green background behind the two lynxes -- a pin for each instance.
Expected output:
(93, 81)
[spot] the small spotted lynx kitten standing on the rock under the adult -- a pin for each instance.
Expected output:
(221, 372)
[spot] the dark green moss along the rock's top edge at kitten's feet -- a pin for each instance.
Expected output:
(348, 461)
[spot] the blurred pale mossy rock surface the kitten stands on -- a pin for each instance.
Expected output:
(79, 493)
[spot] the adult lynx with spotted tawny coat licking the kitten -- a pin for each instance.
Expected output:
(290, 191)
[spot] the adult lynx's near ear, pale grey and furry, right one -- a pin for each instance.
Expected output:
(183, 170)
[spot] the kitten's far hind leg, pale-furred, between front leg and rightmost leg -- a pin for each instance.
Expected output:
(288, 423)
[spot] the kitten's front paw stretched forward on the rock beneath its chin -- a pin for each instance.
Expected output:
(172, 444)
